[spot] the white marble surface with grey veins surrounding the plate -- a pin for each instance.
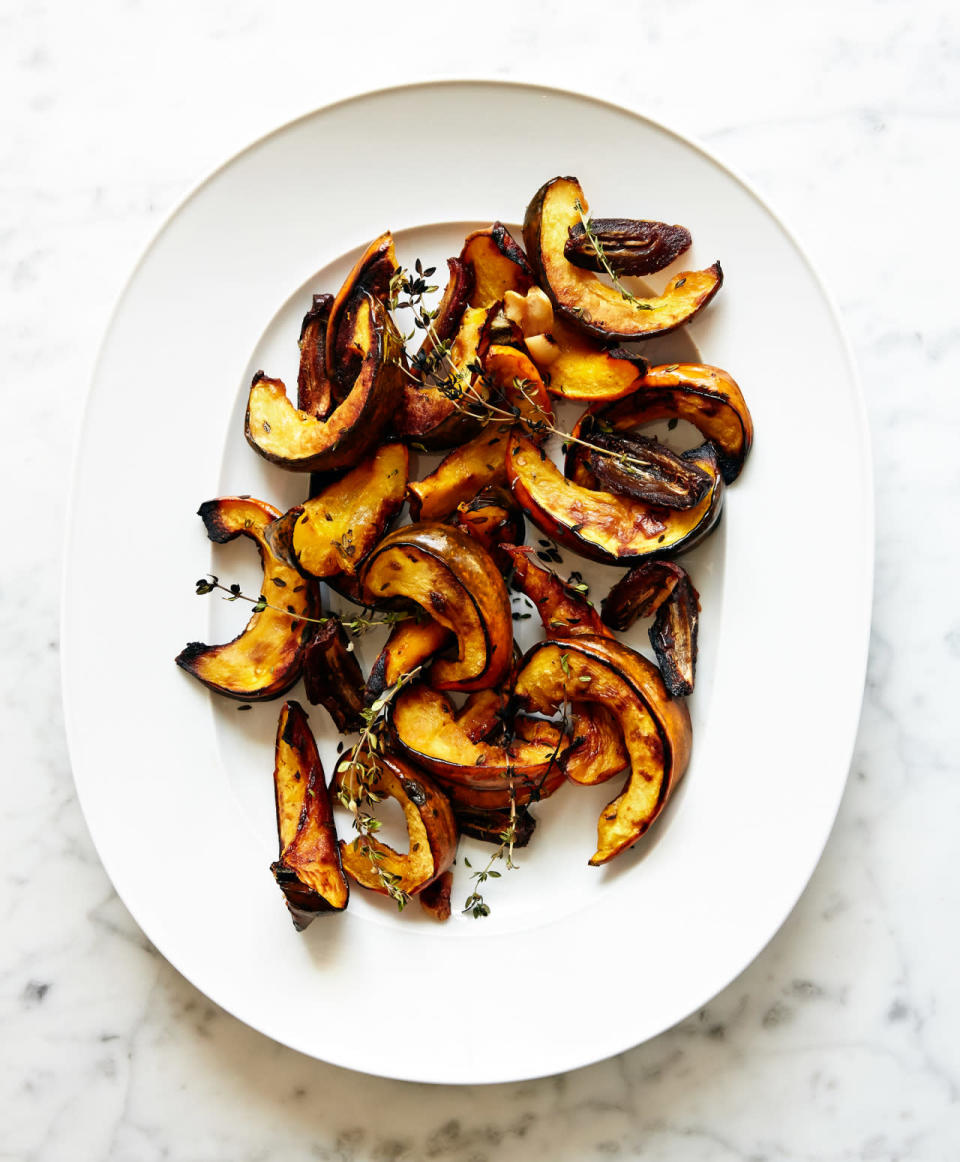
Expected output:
(843, 1041)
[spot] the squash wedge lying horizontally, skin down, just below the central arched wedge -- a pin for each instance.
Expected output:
(476, 774)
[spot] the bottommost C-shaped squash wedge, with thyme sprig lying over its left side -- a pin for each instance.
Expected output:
(431, 826)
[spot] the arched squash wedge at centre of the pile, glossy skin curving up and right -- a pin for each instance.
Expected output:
(457, 584)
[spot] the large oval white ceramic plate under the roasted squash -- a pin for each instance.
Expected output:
(176, 785)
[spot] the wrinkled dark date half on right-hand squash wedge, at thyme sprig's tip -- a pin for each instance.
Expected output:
(647, 470)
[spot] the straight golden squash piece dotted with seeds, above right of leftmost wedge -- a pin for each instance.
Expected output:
(339, 528)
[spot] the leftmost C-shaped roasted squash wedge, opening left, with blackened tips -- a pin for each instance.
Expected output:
(268, 657)
